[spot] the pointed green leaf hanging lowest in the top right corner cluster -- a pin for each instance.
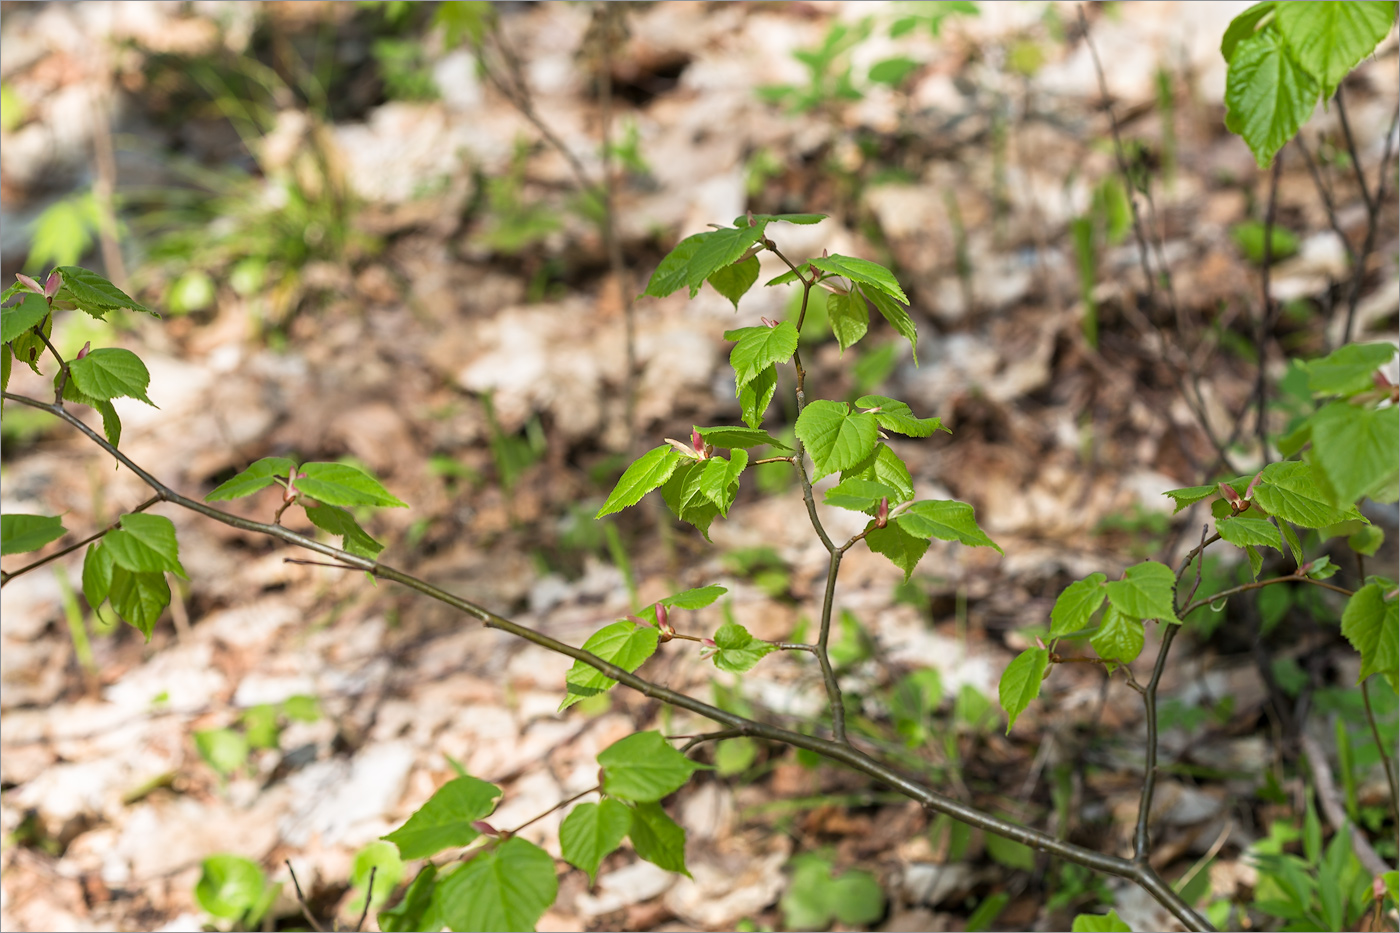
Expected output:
(1269, 96)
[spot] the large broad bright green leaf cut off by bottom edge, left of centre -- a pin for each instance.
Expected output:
(503, 889)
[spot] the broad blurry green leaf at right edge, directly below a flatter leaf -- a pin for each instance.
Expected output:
(1354, 450)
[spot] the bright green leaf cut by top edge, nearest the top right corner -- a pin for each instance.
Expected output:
(1332, 39)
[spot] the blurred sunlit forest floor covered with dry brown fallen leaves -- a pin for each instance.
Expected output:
(454, 327)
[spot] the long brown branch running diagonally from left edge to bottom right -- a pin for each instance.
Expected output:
(1136, 872)
